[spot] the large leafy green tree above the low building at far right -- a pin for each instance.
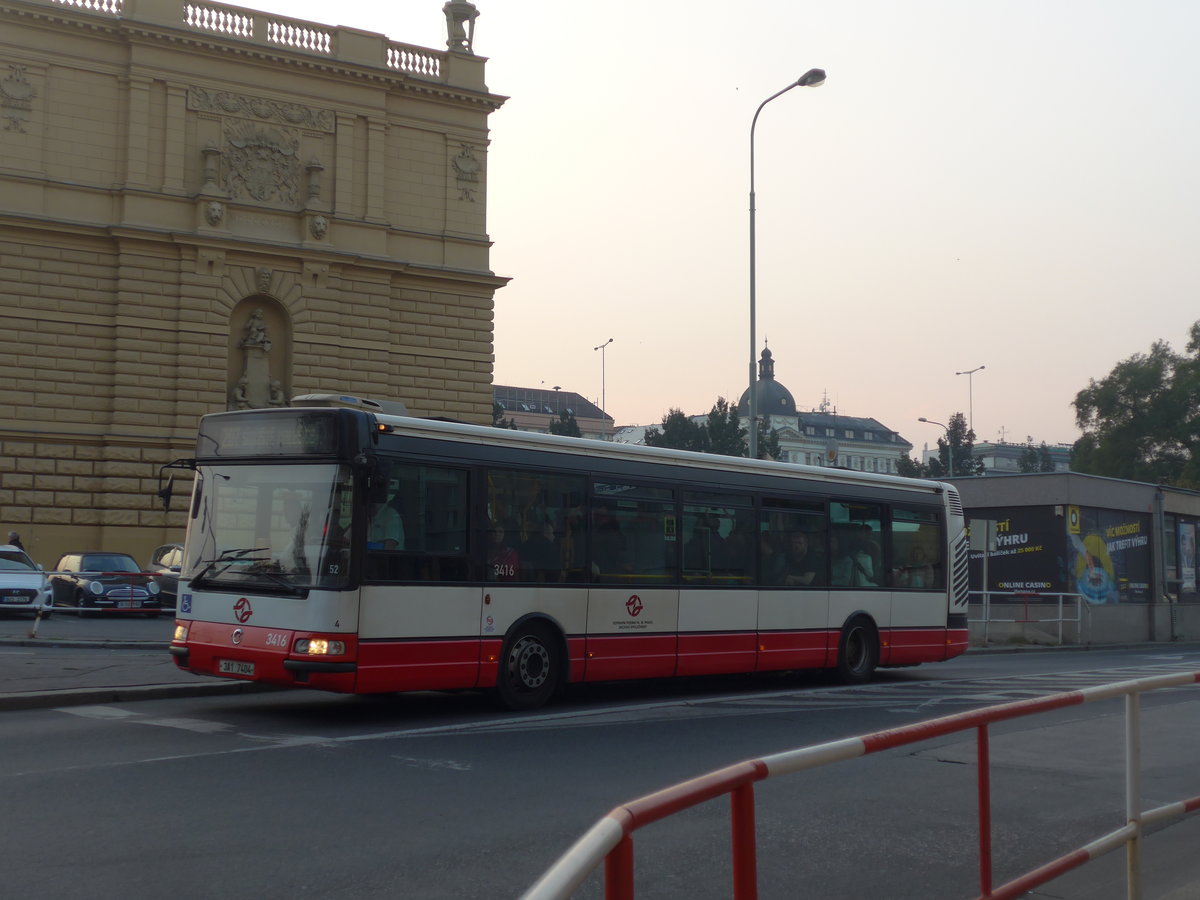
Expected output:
(1142, 421)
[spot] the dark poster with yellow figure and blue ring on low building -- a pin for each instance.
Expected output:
(1111, 560)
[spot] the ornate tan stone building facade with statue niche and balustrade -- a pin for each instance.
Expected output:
(209, 207)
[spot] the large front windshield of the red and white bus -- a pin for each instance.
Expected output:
(273, 529)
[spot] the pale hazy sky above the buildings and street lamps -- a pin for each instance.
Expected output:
(979, 184)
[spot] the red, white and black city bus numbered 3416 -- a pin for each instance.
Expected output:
(337, 547)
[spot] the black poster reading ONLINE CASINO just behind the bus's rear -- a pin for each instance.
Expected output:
(1019, 551)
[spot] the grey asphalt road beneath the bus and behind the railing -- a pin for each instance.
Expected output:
(442, 796)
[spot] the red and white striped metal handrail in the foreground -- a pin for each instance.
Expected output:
(610, 841)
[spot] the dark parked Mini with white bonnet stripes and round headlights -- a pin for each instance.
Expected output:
(98, 580)
